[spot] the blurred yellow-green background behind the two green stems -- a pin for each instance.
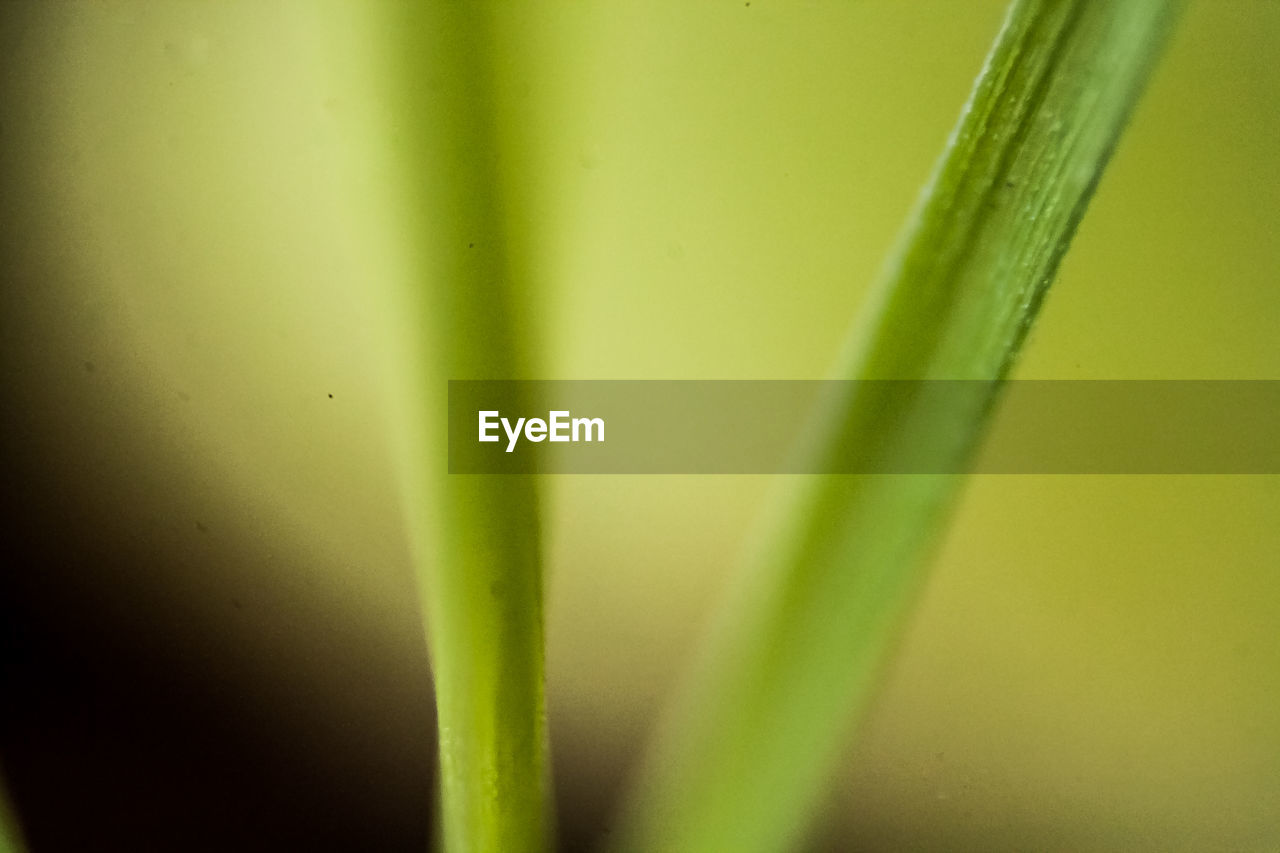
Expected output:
(213, 636)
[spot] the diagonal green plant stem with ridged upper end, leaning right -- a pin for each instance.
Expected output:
(793, 662)
